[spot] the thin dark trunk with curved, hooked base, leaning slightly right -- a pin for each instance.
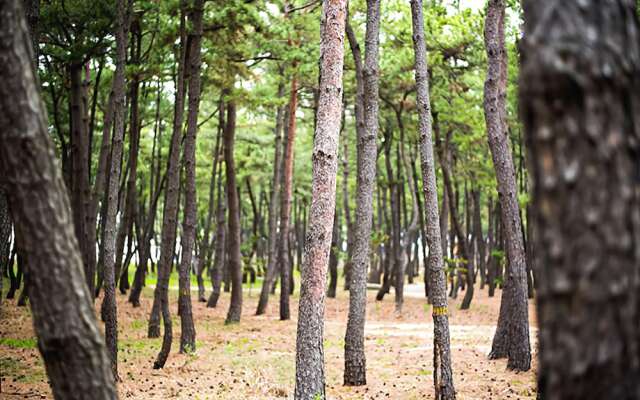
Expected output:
(171, 205)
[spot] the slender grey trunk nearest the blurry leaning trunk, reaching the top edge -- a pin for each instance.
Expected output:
(109, 303)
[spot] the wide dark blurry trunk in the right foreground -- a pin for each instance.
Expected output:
(584, 154)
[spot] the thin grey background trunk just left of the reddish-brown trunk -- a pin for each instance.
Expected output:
(267, 283)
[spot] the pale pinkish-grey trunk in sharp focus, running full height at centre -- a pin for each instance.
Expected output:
(310, 382)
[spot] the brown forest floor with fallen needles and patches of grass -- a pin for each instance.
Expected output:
(256, 358)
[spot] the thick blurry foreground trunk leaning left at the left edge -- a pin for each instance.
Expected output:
(69, 339)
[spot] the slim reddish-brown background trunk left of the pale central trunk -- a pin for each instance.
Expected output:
(285, 207)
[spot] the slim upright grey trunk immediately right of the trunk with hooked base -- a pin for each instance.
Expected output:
(187, 328)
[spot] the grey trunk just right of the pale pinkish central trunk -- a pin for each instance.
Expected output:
(367, 97)
